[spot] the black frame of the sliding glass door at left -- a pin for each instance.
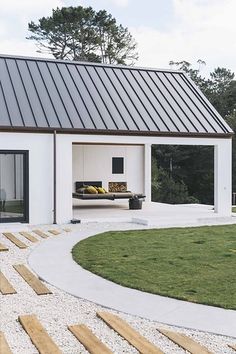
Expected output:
(25, 217)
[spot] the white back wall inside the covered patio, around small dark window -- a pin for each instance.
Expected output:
(94, 163)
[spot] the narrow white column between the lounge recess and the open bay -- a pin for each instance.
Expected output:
(148, 172)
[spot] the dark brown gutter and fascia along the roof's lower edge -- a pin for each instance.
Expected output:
(113, 132)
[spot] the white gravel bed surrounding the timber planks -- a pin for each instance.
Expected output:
(57, 310)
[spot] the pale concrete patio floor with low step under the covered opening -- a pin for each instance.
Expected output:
(152, 214)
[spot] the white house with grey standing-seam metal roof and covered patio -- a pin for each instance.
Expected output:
(62, 122)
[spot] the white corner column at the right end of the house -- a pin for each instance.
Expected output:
(223, 177)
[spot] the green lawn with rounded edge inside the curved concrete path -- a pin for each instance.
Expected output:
(193, 264)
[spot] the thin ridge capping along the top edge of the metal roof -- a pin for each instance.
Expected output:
(70, 62)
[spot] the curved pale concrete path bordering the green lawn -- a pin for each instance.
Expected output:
(53, 262)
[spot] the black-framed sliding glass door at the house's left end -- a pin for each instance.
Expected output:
(14, 186)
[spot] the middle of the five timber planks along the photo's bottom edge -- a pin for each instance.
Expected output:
(89, 340)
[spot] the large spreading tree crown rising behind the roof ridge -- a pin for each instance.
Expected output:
(82, 34)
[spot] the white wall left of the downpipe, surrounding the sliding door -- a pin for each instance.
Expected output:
(40, 171)
